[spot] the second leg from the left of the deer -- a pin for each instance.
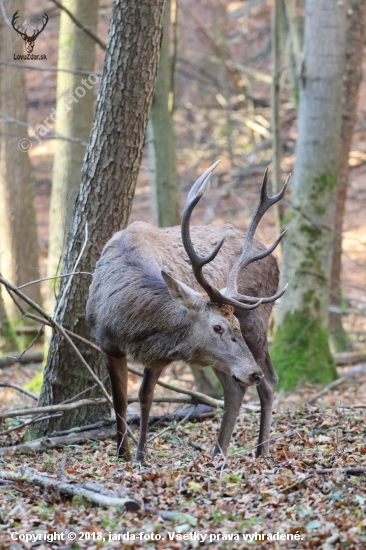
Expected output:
(146, 394)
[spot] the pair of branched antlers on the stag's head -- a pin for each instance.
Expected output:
(230, 295)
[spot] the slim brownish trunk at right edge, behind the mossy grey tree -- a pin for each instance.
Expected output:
(356, 24)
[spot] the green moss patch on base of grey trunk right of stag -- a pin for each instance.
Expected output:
(300, 352)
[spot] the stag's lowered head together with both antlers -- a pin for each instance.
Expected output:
(216, 338)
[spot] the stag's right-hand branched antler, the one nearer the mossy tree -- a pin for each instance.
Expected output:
(248, 255)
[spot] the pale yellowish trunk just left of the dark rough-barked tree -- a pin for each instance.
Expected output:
(74, 109)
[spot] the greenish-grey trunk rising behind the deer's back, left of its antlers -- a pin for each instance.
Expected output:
(165, 196)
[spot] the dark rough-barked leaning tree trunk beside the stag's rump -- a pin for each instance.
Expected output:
(107, 187)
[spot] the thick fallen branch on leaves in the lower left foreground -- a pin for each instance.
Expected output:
(71, 489)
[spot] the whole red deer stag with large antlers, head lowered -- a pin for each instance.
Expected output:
(146, 302)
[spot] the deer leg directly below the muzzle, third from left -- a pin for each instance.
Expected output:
(233, 397)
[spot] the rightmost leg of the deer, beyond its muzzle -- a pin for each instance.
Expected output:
(266, 391)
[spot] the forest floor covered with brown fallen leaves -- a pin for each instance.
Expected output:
(186, 492)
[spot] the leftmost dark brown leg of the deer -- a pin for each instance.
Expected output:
(118, 373)
